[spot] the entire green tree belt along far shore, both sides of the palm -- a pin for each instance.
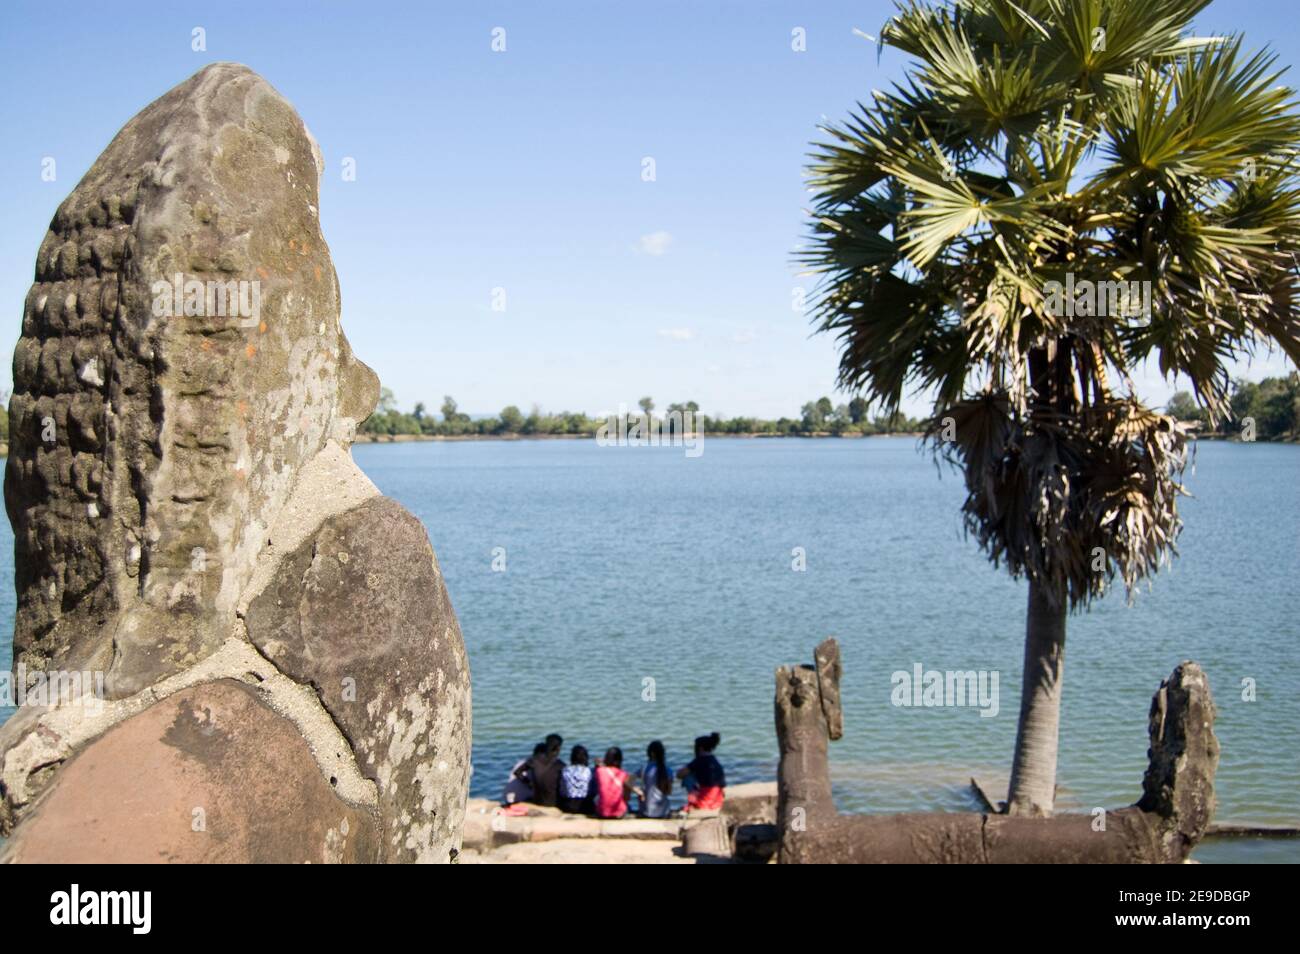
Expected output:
(1273, 405)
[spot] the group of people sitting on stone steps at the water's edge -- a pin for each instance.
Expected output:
(603, 790)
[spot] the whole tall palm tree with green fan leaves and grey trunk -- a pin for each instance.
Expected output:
(973, 227)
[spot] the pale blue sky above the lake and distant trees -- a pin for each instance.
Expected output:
(518, 171)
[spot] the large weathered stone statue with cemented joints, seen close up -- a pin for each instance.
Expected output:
(284, 675)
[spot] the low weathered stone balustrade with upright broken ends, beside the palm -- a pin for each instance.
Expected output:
(1164, 827)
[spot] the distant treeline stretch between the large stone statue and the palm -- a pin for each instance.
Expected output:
(817, 418)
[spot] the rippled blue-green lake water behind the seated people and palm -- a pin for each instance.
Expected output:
(629, 565)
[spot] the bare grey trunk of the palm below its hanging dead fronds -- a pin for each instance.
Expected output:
(1034, 769)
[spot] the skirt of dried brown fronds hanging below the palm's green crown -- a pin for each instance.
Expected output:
(1076, 502)
